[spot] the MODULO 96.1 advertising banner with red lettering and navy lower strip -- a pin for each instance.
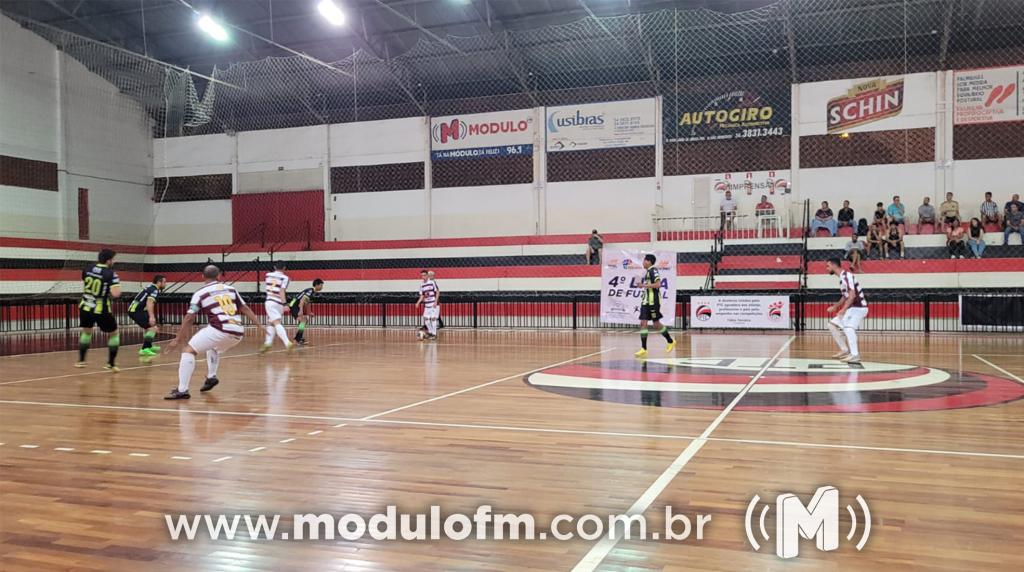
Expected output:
(482, 136)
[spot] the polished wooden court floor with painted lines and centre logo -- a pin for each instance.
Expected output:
(930, 432)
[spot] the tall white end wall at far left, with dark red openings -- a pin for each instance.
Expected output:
(55, 110)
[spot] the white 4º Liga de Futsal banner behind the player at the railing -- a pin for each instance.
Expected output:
(622, 275)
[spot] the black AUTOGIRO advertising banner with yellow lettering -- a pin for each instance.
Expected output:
(741, 114)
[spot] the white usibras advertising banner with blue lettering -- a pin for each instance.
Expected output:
(602, 126)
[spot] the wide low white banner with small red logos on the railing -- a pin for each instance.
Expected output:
(762, 313)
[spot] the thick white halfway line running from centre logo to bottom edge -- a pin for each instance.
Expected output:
(600, 551)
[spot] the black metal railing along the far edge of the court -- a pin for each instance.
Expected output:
(890, 312)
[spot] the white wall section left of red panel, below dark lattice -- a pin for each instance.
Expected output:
(194, 223)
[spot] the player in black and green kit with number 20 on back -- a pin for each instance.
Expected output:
(101, 287)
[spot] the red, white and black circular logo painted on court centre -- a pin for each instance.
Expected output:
(788, 385)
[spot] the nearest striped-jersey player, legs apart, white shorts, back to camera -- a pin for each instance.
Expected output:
(222, 305)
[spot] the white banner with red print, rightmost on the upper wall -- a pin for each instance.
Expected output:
(989, 96)
